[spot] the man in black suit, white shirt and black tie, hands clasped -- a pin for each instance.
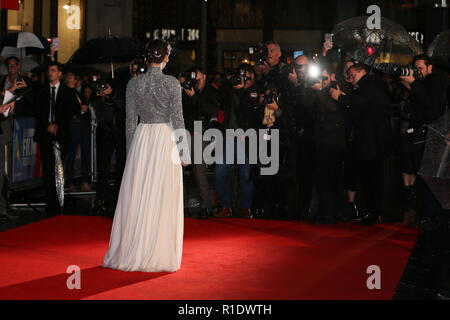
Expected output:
(55, 105)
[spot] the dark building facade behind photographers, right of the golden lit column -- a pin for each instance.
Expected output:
(234, 25)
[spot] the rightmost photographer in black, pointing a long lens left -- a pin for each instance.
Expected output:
(427, 90)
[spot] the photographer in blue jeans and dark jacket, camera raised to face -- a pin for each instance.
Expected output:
(238, 107)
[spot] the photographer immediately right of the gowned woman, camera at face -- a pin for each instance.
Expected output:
(200, 103)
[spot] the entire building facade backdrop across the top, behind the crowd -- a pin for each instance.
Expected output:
(231, 25)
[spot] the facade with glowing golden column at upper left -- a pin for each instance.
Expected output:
(72, 22)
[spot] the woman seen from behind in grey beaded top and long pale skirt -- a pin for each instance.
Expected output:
(147, 232)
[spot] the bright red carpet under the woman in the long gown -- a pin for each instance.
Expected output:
(222, 259)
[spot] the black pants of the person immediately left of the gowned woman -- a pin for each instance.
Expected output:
(108, 141)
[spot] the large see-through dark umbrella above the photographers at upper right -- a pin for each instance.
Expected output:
(383, 49)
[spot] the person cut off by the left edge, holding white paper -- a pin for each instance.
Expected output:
(5, 139)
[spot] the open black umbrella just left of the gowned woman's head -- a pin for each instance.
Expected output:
(109, 49)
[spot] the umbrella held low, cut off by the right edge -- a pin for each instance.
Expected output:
(435, 169)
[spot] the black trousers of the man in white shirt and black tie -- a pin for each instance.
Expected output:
(48, 170)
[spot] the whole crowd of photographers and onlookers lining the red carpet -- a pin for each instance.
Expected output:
(336, 133)
